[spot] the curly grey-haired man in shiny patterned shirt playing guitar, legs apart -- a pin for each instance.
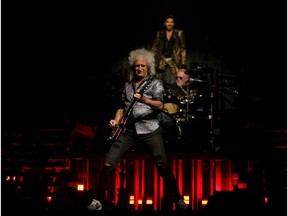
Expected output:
(139, 126)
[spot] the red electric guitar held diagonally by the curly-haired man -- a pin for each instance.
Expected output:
(117, 130)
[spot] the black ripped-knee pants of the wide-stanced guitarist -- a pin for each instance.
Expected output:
(155, 145)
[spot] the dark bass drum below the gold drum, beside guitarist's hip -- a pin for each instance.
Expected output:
(170, 129)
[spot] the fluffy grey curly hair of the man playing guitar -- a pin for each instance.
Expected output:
(141, 53)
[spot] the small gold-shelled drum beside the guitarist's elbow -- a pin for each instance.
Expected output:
(171, 102)
